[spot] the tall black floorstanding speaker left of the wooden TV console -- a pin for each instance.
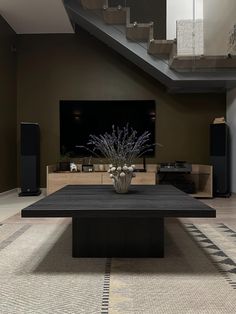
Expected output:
(29, 159)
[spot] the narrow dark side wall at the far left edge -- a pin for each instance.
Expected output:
(8, 157)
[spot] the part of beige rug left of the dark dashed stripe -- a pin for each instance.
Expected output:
(38, 274)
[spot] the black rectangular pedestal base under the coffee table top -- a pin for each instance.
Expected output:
(118, 237)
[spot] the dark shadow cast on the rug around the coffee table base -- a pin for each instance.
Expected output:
(182, 257)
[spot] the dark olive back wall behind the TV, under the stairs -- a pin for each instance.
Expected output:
(55, 67)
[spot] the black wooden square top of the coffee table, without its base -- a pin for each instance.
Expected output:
(103, 201)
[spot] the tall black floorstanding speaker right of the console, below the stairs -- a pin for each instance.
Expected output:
(220, 159)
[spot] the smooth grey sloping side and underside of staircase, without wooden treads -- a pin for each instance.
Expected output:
(195, 81)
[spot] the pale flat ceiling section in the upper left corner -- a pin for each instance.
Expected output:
(36, 16)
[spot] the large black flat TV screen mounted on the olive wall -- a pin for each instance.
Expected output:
(79, 119)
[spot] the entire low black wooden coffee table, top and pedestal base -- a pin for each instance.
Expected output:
(107, 224)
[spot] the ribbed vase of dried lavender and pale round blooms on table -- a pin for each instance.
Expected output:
(121, 148)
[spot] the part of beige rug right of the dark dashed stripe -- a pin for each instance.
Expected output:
(187, 280)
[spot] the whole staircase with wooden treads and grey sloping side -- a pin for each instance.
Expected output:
(159, 58)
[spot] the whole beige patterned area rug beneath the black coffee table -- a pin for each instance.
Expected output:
(38, 274)
